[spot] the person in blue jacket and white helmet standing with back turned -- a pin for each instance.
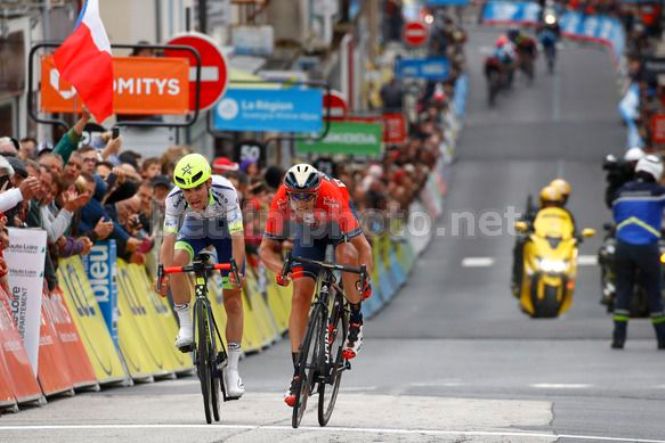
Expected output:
(638, 215)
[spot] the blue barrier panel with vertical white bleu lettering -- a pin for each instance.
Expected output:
(100, 266)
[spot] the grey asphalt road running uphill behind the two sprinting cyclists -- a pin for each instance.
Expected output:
(451, 358)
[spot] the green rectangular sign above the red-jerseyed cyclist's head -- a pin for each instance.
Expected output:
(355, 138)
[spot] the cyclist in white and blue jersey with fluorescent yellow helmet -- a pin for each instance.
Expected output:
(203, 211)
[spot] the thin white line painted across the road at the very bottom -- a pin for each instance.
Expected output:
(331, 429)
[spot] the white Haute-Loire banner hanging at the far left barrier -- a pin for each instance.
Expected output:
(25, 257)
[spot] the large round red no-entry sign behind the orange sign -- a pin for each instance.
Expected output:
(214, 71)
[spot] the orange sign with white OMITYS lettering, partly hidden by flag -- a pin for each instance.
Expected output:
(143, 86)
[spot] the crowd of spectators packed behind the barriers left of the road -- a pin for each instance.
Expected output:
(83, 194)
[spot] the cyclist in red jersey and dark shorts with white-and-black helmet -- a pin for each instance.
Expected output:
(316, 211)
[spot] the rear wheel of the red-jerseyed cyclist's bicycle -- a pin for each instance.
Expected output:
(337, 330)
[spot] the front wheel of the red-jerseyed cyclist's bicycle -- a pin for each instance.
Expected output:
(309, 363)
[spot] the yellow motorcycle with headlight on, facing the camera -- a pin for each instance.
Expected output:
(550, 263)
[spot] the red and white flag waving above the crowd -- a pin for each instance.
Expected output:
(85, 61)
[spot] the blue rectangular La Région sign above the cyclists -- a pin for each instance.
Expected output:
(270, 110)
